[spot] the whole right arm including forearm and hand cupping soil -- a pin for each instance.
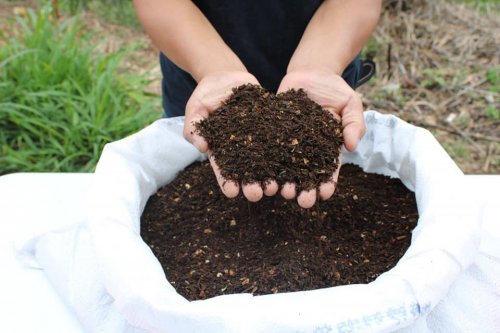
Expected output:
(333, 37)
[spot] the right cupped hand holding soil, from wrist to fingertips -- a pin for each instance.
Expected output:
(333, 94)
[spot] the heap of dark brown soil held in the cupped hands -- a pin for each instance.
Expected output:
(256, 136)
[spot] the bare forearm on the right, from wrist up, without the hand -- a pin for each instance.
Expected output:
(335, 35)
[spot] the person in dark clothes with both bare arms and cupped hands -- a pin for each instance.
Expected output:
(209, 47)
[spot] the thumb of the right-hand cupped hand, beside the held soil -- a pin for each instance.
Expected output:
(353, 122)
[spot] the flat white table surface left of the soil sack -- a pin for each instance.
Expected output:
(31, 204)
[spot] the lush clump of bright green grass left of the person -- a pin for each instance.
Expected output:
(60, 100)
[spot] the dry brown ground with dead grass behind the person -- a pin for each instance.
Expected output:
(438, 67)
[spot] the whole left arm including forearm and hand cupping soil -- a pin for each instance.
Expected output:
(181, 31)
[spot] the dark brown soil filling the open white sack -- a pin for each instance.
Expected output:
(210, 245)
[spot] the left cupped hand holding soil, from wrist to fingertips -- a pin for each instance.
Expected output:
(210, 92)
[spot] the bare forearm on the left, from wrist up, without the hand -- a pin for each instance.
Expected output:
(185, 36)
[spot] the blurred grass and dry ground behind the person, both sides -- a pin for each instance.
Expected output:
(76, 74)
